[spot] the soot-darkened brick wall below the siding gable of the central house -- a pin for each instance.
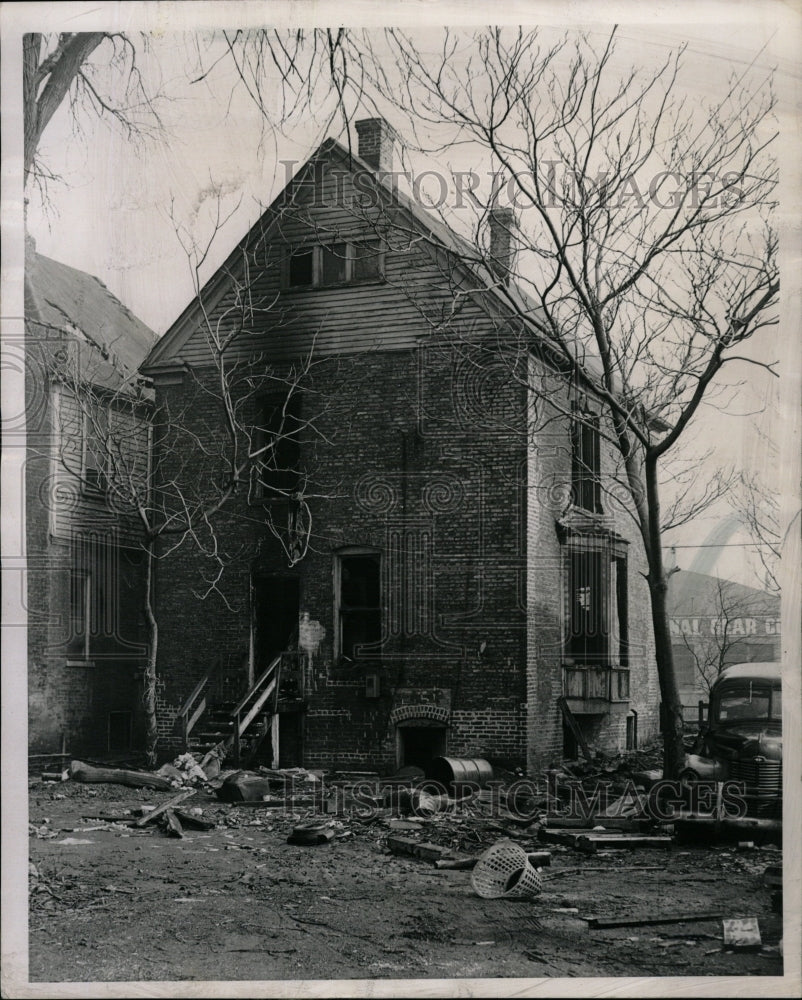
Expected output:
(408, 469)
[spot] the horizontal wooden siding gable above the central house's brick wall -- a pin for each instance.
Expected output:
(415, 297)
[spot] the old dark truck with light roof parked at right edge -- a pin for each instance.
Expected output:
(742, 738)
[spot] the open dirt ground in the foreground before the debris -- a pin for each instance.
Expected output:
(239, 903)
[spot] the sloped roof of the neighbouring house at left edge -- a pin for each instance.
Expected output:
(63, 298)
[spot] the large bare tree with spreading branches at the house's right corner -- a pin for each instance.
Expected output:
(643, 254)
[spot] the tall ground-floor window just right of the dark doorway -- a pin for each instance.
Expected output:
(358, 605)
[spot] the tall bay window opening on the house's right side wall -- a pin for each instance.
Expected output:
(597, 627)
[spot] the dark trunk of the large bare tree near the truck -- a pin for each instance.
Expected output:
(671, 720)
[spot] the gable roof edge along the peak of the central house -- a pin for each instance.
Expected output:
(441, 235)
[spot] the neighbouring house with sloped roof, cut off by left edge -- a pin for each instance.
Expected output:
(84, 567)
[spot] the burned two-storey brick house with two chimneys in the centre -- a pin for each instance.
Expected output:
(457, 569)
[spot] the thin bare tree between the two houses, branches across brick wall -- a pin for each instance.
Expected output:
(169, 474)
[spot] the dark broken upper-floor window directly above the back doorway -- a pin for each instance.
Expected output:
(278, 446)
